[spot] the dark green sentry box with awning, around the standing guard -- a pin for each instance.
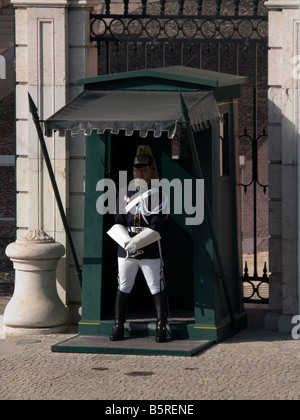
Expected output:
(189, 118)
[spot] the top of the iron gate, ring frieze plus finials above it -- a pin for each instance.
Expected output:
(180, 21)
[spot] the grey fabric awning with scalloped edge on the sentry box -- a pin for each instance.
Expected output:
(142, 111)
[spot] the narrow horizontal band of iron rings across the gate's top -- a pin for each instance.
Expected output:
(188, 28)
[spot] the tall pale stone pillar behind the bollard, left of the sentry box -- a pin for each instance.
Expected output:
(53, 49)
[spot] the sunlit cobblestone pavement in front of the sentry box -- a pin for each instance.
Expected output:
(253, 365)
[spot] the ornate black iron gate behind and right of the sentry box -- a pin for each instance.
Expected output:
(221, 35)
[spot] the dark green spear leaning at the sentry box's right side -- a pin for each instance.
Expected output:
(190, 135)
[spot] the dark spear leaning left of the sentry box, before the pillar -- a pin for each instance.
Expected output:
(36, 120)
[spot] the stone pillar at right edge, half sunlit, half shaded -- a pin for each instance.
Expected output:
(283, 168)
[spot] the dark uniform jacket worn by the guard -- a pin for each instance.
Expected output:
(134, 220)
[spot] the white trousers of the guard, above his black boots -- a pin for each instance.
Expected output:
(128, 270)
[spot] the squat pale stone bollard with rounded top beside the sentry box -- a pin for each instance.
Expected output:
(35, 307)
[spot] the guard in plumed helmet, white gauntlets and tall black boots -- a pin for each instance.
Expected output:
(140, 217)
